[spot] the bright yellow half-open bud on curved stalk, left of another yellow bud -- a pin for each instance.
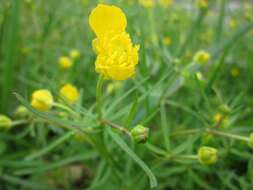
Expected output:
(42, 100)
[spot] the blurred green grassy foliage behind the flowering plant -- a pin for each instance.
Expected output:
(165, 95)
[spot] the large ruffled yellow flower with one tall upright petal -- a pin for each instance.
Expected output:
(116, 55)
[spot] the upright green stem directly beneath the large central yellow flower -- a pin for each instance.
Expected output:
(98, 98)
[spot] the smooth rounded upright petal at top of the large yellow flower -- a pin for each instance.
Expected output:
(105, 18)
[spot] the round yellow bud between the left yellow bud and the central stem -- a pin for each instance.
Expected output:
(69, 93)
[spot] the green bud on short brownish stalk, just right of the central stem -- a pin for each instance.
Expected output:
(140, 134)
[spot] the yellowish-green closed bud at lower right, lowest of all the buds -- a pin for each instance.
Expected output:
(207, 155)
